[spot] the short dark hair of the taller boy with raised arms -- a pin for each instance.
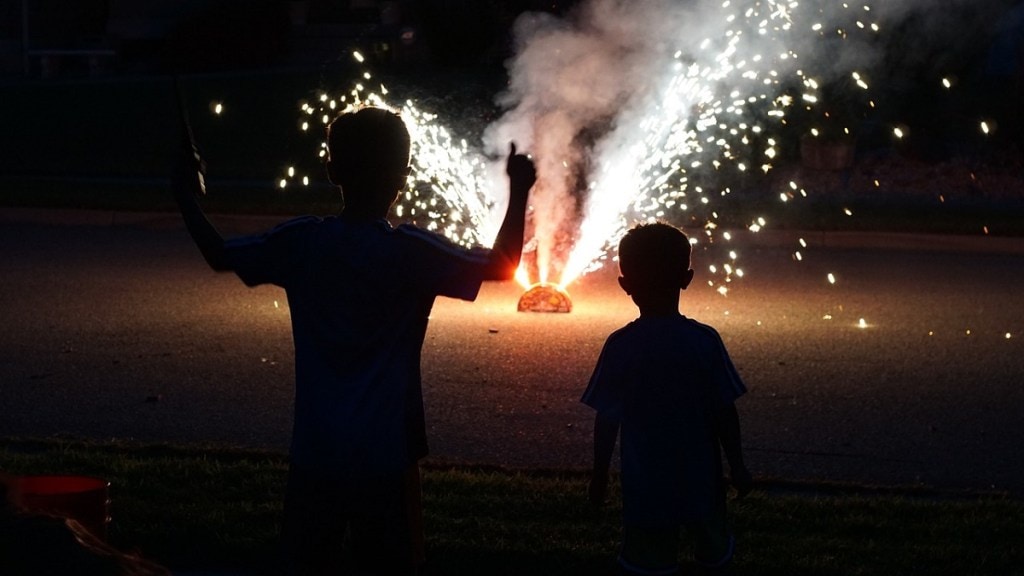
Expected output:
(369, 144)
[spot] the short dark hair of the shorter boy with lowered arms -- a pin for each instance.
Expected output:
(649, 252)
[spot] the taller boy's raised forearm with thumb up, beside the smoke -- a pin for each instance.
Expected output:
(508, 245)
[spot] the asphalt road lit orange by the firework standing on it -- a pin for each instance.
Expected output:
(113, 327)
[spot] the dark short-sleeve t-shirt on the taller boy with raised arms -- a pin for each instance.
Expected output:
(360, 296)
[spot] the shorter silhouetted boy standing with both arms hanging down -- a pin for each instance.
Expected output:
(669, 384)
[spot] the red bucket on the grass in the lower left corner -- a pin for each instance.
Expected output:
(82, 499)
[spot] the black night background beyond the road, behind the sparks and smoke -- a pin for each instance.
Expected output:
(90, 104)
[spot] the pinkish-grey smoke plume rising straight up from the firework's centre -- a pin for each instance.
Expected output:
(572, 83)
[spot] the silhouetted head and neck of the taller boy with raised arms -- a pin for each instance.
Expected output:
(368, 157)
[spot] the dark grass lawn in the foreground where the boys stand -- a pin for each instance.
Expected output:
(201, 508)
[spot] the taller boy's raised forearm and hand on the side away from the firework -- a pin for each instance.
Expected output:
(188, 185)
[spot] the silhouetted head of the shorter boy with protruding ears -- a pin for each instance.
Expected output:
(655, 261)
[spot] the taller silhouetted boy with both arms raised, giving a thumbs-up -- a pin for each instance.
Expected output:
(360, 294)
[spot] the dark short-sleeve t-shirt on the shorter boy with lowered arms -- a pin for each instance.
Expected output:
(663, 380)
